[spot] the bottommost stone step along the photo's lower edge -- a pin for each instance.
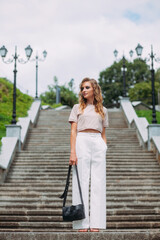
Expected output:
(9, 234)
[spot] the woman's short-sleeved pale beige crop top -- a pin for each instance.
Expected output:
(89, 119)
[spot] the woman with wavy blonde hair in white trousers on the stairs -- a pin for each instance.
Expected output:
(88, 151)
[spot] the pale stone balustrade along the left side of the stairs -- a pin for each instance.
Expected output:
(16, 135)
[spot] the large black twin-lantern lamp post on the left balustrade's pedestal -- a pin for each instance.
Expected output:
(15, 58)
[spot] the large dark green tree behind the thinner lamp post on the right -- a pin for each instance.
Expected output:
(111, 79)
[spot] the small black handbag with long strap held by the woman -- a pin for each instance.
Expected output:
(74, 212)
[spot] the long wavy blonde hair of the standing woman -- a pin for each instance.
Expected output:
(97, 96)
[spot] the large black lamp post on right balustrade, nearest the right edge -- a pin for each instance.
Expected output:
(139, 49)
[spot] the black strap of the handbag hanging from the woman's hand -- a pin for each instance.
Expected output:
(64, 195)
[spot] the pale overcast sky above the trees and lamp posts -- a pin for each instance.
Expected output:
(79, 36)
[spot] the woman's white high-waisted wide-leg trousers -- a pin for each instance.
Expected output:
(91, 154)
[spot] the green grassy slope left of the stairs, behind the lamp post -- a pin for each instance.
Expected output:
(6, 104)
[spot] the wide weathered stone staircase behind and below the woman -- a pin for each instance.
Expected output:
(30, 207)
